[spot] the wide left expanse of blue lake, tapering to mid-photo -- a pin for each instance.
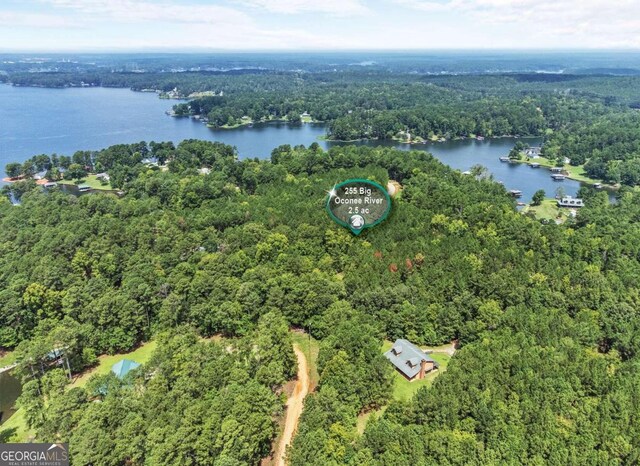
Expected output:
(35, 121)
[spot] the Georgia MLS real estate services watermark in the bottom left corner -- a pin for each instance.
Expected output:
(34, 454)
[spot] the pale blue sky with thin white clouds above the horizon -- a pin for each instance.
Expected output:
(50, 25)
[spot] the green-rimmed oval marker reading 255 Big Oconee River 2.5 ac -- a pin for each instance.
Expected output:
(358, 204)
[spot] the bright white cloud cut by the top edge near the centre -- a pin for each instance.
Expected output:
(331, 7)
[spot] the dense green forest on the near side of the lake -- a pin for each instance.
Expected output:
(545, 314)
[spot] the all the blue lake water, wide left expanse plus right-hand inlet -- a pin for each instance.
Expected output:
(35, 121)
